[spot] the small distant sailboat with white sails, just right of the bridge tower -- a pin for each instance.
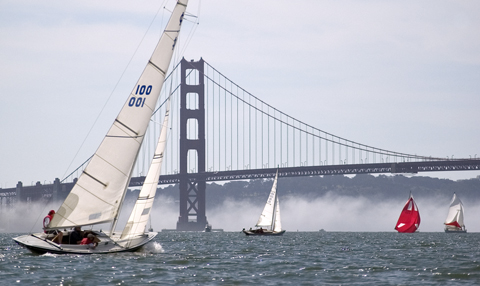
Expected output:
(269, 221)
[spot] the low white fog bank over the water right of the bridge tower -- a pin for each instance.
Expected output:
(339, 213)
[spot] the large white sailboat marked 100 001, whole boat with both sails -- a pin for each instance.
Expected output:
(98, 194)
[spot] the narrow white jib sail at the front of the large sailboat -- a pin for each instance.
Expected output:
(141, 211)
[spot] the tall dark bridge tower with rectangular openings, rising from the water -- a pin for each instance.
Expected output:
(192, 191)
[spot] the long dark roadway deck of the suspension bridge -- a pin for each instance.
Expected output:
(374, 168)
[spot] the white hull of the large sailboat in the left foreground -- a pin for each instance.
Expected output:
(39, 244)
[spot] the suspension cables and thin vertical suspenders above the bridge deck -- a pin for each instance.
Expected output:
(244, 132)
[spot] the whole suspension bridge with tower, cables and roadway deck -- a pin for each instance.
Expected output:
(219, 131)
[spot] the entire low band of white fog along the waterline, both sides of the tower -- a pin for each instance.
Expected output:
(330, 212)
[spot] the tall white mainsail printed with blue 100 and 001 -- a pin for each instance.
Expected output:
(100, 189)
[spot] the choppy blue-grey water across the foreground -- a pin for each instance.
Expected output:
(297, 258)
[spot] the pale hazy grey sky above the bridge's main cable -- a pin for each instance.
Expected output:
(397, 75)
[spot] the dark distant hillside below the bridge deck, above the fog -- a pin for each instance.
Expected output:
(375, 187)
